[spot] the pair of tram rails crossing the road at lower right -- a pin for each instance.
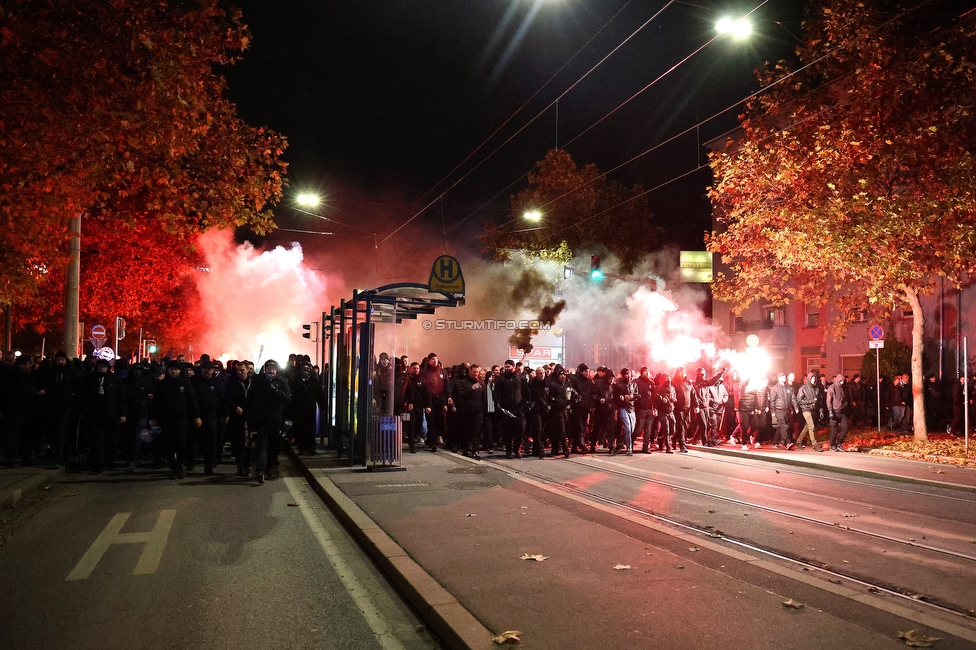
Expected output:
(871, 584)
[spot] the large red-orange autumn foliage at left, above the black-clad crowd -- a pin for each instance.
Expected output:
(115, 110)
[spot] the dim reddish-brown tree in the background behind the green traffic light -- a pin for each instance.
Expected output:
(580, 208)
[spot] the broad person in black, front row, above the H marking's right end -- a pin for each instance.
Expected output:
(174, 408)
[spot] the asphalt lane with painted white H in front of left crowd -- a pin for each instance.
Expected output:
(119, 561)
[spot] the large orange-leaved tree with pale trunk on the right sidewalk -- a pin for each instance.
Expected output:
(851, 183)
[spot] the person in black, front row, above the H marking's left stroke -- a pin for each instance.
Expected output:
(103, 397)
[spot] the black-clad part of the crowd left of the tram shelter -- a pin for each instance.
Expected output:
(157, 414)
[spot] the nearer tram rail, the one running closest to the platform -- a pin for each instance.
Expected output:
(891, 590)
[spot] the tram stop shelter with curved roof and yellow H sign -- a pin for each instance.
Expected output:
(362, 421)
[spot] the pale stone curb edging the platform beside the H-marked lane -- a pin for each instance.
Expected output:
(455, 625)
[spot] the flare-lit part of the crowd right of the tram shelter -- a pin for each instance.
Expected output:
(551, 410)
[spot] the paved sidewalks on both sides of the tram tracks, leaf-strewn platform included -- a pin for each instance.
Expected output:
(451, 533)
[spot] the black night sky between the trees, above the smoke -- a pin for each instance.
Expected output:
(384, 98)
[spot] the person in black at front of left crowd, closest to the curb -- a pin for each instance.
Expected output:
(270, 394)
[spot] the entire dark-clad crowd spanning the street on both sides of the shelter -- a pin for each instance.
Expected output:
(175, 414)
